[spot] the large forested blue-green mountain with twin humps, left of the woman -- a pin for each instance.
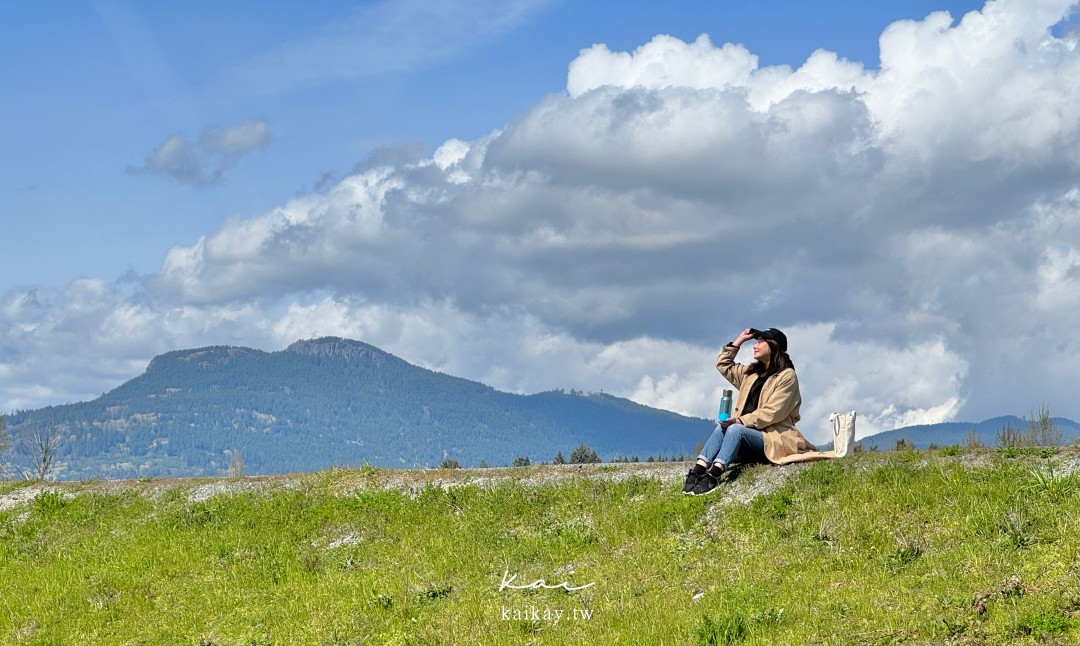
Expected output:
(335, 402)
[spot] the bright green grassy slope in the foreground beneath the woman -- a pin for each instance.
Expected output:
(881, 548)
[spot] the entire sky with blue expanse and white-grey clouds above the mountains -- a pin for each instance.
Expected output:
(539, 194)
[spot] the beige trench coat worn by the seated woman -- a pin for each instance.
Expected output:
(778, 410)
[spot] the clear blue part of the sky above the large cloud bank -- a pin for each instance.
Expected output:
(93, 88)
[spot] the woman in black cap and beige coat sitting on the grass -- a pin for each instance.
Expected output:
(763, 425)
